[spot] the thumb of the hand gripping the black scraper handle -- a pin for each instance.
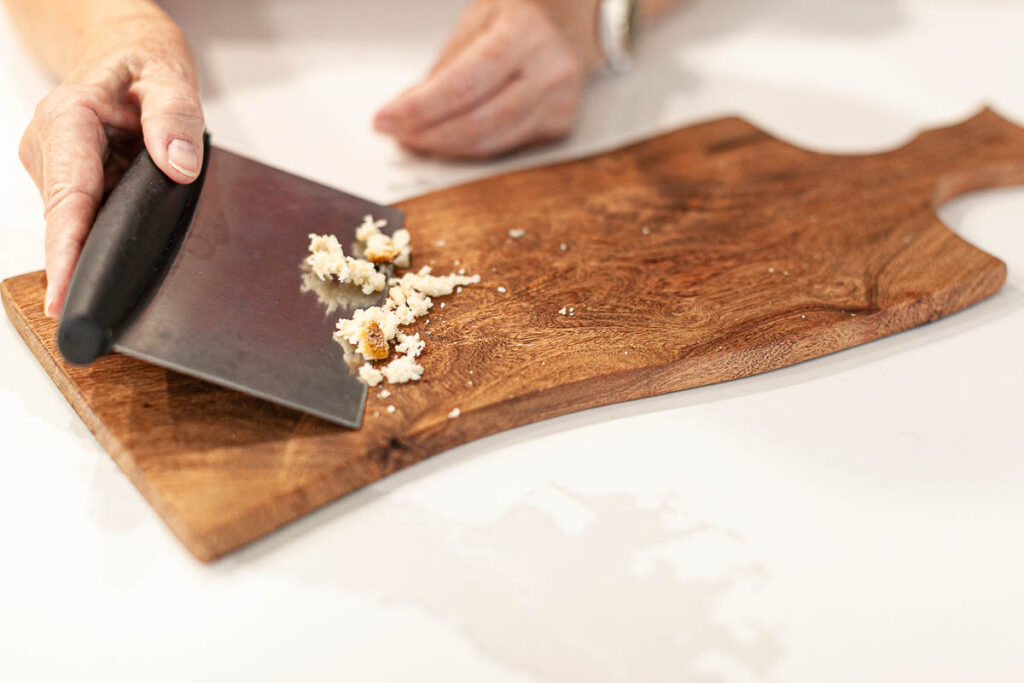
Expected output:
(173, 126)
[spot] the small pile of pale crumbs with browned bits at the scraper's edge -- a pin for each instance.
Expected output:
(371, 332)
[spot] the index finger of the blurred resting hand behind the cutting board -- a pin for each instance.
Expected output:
(484, 68)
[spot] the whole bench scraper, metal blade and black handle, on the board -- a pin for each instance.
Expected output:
(207, 280)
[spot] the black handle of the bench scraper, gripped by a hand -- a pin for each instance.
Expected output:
(135, 235)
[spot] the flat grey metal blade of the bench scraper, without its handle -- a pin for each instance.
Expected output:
(236, 307)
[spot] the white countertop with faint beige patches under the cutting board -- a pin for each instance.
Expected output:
(855, 519)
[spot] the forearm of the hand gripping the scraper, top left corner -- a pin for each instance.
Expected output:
(64, 33)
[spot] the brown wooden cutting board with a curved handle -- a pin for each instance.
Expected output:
(707, 254)
